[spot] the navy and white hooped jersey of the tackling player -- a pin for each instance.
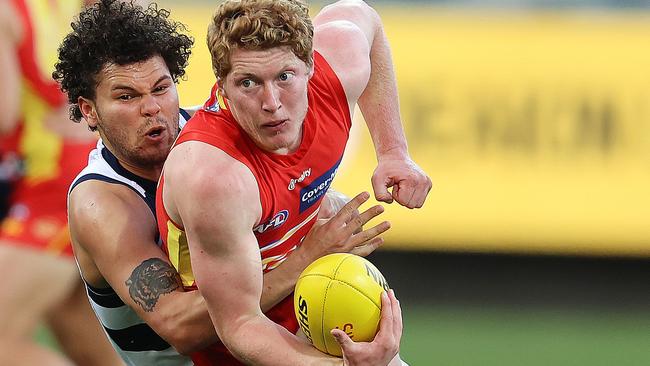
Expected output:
(132, 338)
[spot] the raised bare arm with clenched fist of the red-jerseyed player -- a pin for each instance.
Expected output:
(350, 35)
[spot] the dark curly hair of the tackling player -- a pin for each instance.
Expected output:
(115, 32)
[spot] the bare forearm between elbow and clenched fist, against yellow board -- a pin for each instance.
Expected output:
(379, 101)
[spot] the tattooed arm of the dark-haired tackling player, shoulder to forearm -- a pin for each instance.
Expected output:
(113, 233)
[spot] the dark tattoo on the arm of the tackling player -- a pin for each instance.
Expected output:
(151, 279)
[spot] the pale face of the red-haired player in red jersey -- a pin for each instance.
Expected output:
(267, 95)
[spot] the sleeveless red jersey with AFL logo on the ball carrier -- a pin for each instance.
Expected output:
(291, 187)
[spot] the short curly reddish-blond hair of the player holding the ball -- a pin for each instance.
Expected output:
(259, 25)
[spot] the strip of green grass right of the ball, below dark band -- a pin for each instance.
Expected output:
(530, 337)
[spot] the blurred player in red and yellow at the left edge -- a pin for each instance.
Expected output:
(40, 281)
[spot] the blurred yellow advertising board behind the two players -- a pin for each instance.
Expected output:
(534, 127)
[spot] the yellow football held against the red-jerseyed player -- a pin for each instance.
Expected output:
(339, 291)
